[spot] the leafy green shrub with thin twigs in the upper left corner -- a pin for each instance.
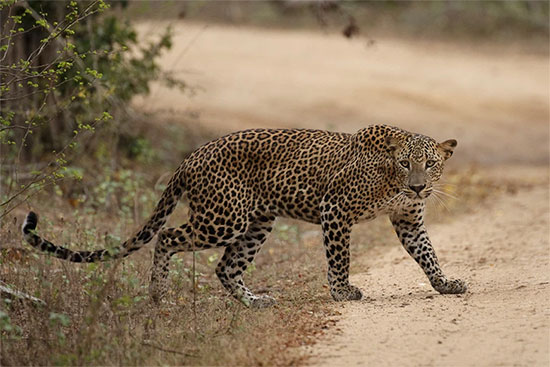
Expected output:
(68, 72)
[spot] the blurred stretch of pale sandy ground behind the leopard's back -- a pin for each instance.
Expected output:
(494, 101)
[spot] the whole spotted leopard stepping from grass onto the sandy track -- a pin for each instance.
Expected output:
(237, 185)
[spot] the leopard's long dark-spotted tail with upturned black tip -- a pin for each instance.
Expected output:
(164, 208)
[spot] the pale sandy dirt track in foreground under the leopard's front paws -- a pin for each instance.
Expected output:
(502, 250)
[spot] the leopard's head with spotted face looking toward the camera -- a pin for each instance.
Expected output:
(419, 162)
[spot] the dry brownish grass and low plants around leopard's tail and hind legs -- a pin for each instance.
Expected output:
(100, 314)
